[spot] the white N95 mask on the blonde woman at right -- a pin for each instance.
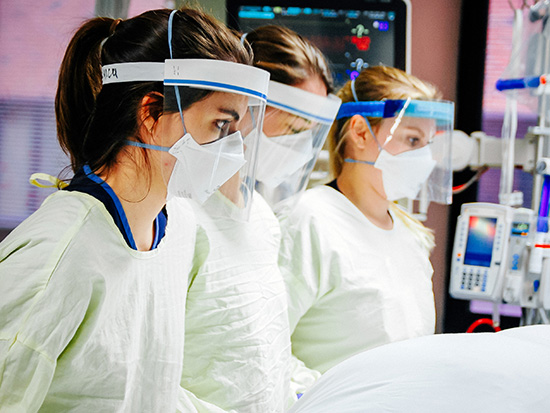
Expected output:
(404, 174)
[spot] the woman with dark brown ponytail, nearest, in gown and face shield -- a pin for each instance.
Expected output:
(93, 284)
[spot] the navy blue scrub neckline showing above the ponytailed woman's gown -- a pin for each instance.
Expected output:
(88, 182)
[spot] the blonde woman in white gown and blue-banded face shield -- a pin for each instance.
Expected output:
(356, 265)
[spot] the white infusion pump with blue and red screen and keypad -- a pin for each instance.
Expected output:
(490, 252)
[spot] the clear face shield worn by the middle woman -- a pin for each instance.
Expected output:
(295, 128)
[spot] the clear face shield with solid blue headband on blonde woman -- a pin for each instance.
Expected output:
(414, 141)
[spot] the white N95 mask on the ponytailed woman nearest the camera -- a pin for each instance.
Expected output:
(200, 170)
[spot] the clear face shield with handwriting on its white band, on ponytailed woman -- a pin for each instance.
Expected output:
(209, 106)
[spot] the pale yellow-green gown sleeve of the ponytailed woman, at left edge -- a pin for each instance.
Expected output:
(40, 312)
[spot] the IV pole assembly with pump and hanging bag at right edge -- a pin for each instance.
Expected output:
(501, 252)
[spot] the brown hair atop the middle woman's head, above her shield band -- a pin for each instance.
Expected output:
(287, 56)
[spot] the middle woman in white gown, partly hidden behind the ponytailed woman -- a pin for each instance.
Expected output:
(237, 343)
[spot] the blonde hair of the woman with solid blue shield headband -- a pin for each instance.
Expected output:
(373, 84)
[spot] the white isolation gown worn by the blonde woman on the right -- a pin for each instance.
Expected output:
(351, 285)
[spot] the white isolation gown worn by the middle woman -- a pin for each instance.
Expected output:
(237, 340)
